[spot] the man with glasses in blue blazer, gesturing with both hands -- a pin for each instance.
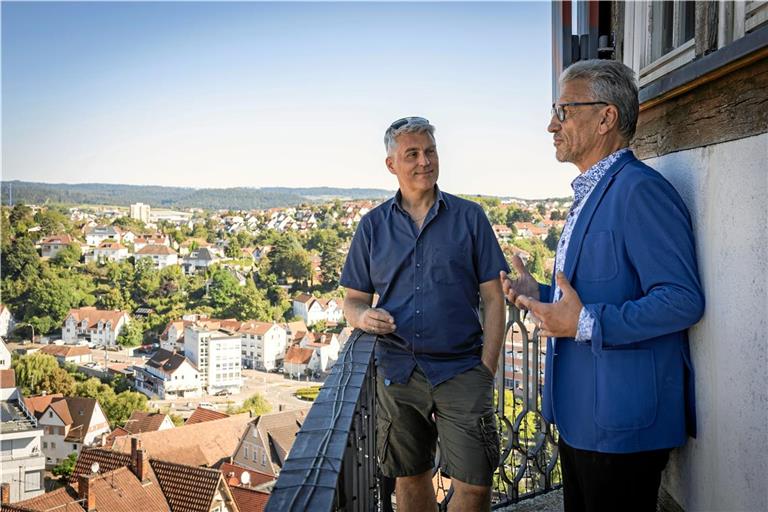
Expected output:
(619, 380)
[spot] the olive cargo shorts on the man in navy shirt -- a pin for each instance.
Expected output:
(459, 411)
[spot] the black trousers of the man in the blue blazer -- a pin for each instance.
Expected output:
(597, 482)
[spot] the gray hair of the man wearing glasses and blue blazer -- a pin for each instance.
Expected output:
(612, 82)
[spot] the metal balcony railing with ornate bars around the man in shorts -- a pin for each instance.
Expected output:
(332, 464)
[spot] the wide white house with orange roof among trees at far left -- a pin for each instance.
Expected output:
(96, 326)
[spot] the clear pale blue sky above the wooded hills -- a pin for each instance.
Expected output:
(290, 94)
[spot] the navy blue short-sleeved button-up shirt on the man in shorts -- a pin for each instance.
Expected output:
(429, 281)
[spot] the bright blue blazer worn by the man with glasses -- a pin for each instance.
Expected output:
(632, 261)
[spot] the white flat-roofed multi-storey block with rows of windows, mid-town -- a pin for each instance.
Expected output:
(217, 355)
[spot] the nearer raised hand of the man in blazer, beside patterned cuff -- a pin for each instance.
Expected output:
(560, 319)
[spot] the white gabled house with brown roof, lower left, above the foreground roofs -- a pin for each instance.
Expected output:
(68, 424)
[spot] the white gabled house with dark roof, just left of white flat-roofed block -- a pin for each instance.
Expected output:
(168, 375)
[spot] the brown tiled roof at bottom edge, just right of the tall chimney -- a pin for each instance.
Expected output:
(188, 488)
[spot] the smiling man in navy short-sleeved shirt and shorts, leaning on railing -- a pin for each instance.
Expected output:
(429, 256)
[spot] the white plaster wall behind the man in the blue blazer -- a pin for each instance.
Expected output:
(725, 188)
